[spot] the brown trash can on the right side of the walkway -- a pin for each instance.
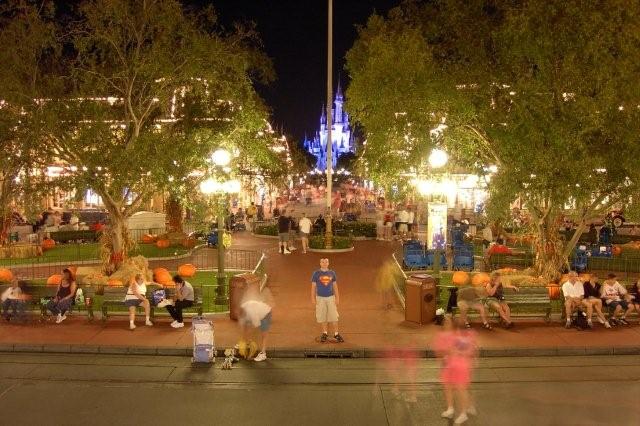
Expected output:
(420, 300)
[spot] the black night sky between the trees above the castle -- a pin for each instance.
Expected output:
(294, 34)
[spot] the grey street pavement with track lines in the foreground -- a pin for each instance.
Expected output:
(49, 389)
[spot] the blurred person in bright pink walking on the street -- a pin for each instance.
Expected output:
(457, 350)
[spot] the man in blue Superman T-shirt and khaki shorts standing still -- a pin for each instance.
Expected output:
(325, 297)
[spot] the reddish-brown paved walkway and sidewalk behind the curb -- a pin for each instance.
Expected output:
(366, 327)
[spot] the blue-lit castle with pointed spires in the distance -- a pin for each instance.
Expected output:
(342, 138)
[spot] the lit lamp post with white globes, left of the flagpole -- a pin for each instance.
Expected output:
(221, 189)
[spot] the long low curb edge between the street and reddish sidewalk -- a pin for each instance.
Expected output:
(314, 353)
